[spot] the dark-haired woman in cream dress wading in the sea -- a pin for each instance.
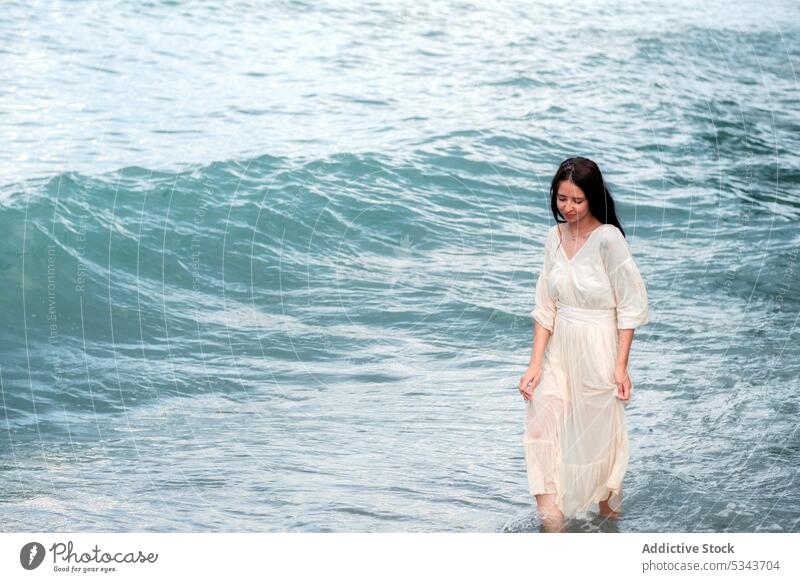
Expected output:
(589, 298)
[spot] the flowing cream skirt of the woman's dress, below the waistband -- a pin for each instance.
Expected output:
(575, 437)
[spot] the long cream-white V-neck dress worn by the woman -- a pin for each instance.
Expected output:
(575, 437)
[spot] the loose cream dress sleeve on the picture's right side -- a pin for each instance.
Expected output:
(626, 281)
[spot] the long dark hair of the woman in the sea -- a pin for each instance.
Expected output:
(585, 174)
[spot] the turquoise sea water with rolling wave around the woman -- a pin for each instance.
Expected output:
(268, 267)
